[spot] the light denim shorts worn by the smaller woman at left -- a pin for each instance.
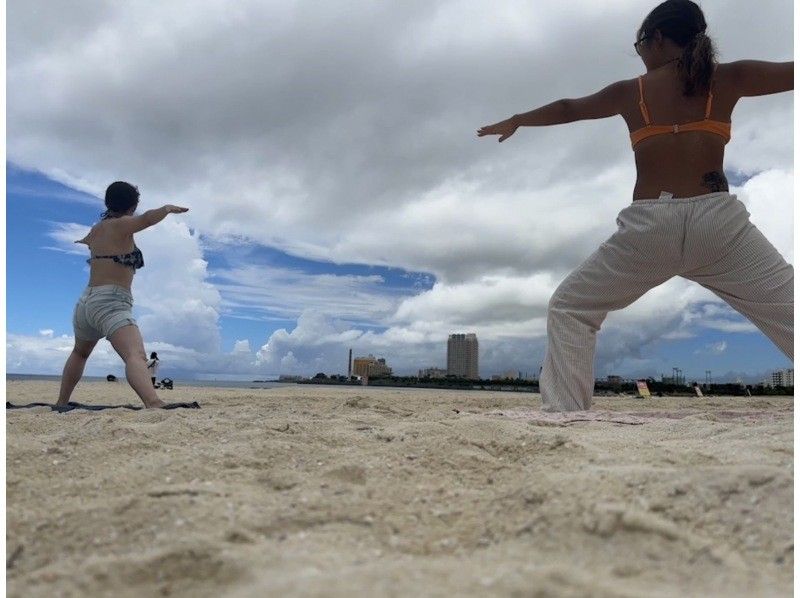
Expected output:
(101, 311)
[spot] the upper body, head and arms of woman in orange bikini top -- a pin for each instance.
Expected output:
(681, 67)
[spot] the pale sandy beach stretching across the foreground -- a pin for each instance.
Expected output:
(358, 491)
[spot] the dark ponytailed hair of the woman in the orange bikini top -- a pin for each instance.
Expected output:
(683, 22)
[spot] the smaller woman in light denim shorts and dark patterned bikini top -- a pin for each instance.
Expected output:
(104, 309)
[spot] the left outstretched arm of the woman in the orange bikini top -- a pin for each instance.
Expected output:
(606, 102)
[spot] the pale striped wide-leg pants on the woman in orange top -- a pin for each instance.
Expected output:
(708, 239)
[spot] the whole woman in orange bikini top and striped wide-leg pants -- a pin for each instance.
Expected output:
(682, 221)
